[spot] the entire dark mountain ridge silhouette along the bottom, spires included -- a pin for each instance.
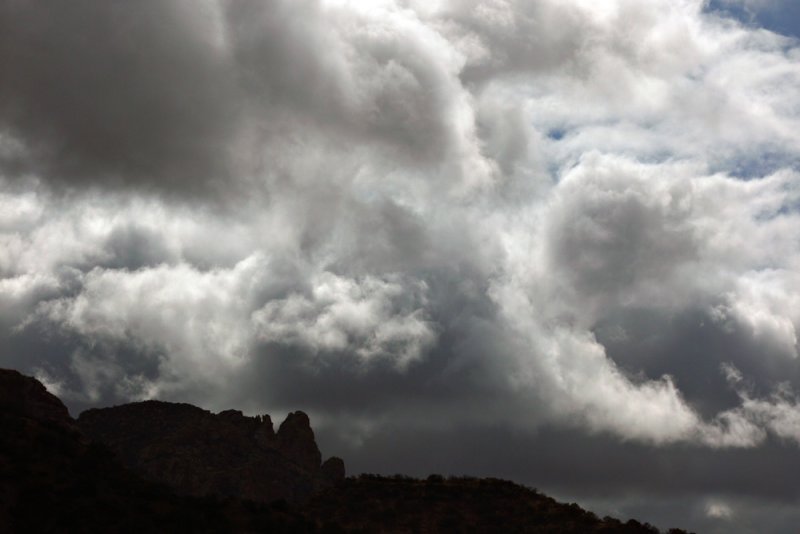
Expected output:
(162, 467)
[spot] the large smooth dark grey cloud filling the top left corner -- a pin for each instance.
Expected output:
(115, 93)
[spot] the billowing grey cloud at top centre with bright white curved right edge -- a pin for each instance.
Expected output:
(372, 74)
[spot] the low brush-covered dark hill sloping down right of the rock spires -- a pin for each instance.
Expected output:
(399, 504)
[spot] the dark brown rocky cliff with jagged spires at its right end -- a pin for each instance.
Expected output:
(228, 454)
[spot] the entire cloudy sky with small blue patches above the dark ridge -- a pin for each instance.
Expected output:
(552, 241)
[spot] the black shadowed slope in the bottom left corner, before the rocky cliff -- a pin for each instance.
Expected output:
(55, 479)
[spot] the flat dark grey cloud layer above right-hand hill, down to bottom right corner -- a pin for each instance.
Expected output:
(670, 487)
